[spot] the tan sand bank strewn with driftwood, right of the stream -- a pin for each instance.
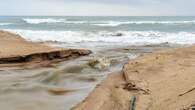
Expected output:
(163, 80)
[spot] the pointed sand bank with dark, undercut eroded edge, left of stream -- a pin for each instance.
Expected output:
(14, 49)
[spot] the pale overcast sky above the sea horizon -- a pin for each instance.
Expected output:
(98, 7)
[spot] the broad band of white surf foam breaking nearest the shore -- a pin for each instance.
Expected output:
(130, 37)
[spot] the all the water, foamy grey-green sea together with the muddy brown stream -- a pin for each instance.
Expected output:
(114, 40)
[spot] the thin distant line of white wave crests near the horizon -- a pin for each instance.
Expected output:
(101, 23)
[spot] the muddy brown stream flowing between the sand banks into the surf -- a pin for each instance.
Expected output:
(63, 85)
